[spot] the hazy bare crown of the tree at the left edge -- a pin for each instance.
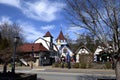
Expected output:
(9, 31)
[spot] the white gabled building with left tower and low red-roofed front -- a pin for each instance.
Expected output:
(43, 50)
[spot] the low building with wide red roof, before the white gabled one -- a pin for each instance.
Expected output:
(35, 52)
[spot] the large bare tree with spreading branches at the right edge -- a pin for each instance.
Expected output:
(101, 18)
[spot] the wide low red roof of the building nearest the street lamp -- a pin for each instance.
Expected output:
(37, 47)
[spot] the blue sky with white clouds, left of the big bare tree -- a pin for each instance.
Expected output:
(36, 17)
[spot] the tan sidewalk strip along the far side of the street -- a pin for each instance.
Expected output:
(108, 72)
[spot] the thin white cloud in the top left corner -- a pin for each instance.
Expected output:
(15, 3)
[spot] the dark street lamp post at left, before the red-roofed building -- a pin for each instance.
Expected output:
(16, 39)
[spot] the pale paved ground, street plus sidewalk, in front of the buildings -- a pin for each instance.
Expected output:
(48, 73)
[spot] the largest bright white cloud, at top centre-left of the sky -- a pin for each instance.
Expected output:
(43, 10)
